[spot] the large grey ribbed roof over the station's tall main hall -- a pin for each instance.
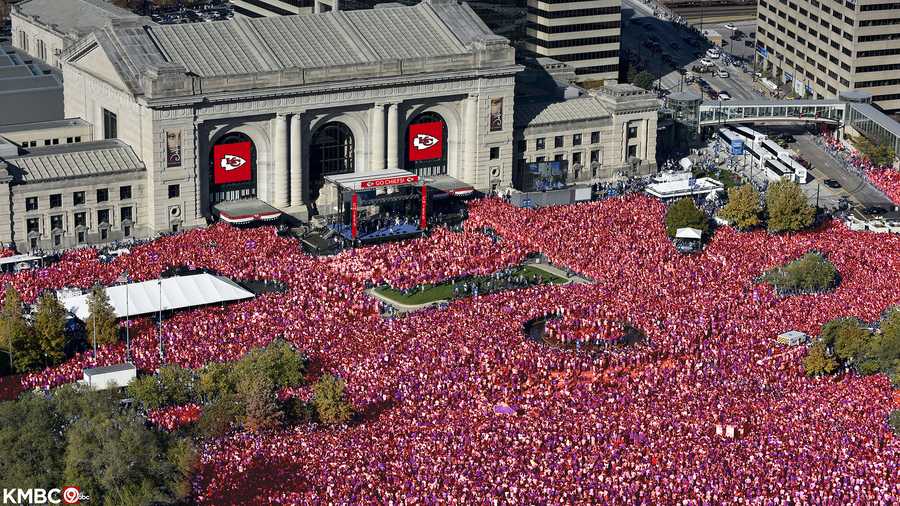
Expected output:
(432, 29)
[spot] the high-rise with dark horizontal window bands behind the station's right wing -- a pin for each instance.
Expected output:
(583, 33)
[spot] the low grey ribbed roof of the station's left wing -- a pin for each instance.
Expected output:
(81, 159)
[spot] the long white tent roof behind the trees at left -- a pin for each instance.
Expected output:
(180, 292)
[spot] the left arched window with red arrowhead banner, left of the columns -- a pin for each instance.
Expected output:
(232, 168)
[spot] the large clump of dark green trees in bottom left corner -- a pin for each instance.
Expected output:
(80, 436)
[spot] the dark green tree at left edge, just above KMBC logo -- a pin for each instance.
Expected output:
(31, 435)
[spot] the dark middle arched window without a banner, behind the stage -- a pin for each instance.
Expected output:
(332, 151)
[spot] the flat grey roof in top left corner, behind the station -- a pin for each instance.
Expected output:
(75, 18)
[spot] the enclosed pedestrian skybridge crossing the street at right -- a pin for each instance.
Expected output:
(712, 113)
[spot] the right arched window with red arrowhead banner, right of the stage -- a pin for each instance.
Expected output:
(426, 145)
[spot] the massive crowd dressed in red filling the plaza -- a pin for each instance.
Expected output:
(633, 425)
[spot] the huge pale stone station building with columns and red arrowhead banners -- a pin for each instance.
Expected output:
(176, 126)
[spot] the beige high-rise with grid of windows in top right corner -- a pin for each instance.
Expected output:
(824, 47)
